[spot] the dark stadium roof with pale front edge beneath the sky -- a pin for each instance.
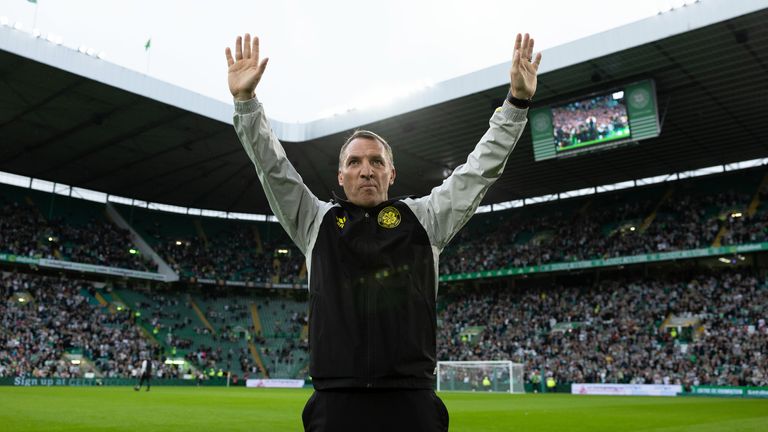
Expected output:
(71, 118)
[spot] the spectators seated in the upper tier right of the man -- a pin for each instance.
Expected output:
(608, 229)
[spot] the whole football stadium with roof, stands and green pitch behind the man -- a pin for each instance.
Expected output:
(615, 277)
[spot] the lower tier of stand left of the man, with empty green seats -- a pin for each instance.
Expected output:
(111, 330)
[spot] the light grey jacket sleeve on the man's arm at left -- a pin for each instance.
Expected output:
(291, 201)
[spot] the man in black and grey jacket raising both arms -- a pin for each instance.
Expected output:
(372, 260)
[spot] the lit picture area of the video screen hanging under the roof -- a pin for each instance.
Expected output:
(589, 122)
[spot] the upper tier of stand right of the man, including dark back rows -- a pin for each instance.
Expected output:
(680, 216)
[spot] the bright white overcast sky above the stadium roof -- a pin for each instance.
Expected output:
(323, 54)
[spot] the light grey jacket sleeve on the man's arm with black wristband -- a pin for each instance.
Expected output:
(449, 206)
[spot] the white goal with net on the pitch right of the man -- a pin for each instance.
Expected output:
(490, 376)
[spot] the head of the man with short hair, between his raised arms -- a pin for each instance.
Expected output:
(366, 172)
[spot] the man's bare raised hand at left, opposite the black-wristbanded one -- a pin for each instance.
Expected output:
(245, 70)
